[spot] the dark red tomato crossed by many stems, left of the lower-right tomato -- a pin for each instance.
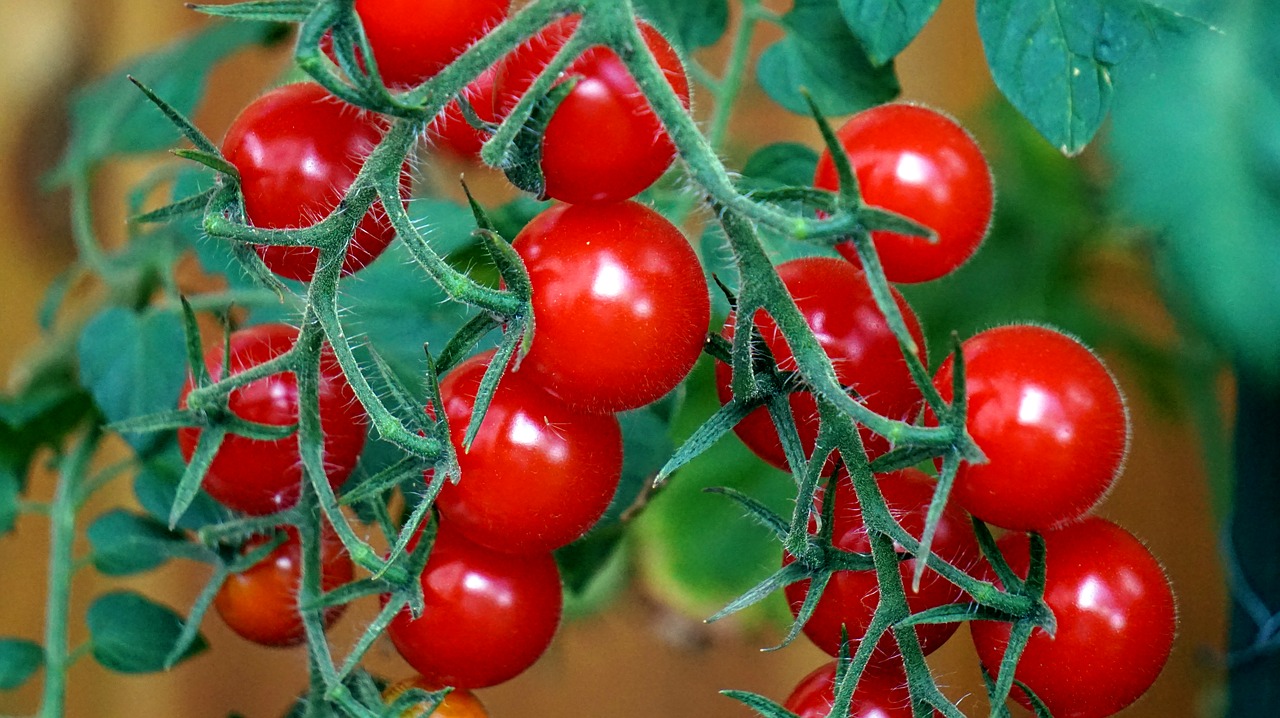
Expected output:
(852, 597)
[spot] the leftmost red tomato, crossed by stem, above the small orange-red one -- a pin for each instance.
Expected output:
(259, 477)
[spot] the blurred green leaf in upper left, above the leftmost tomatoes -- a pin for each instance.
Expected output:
(109, 117)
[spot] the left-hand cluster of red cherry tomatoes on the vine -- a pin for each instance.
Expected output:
(620, 313)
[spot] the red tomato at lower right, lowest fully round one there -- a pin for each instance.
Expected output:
(1116, 616)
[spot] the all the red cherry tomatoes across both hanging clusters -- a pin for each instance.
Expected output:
(620, 312)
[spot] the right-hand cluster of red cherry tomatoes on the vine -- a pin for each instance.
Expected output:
(1041, 408)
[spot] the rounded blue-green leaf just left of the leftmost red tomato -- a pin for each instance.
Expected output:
(134, 365)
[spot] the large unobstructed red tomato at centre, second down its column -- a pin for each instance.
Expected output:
(620, 305)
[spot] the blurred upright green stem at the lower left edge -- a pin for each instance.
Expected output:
(62, 538)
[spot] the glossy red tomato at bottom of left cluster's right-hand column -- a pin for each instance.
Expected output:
(488, 616)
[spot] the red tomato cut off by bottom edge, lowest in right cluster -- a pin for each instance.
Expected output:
(881, 693)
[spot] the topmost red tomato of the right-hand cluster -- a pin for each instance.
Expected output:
(921, 164)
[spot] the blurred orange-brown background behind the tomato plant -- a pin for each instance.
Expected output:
(636, 660)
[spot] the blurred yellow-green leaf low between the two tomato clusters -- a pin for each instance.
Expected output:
(698, 551)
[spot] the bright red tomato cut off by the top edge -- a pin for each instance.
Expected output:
(413, 40)
